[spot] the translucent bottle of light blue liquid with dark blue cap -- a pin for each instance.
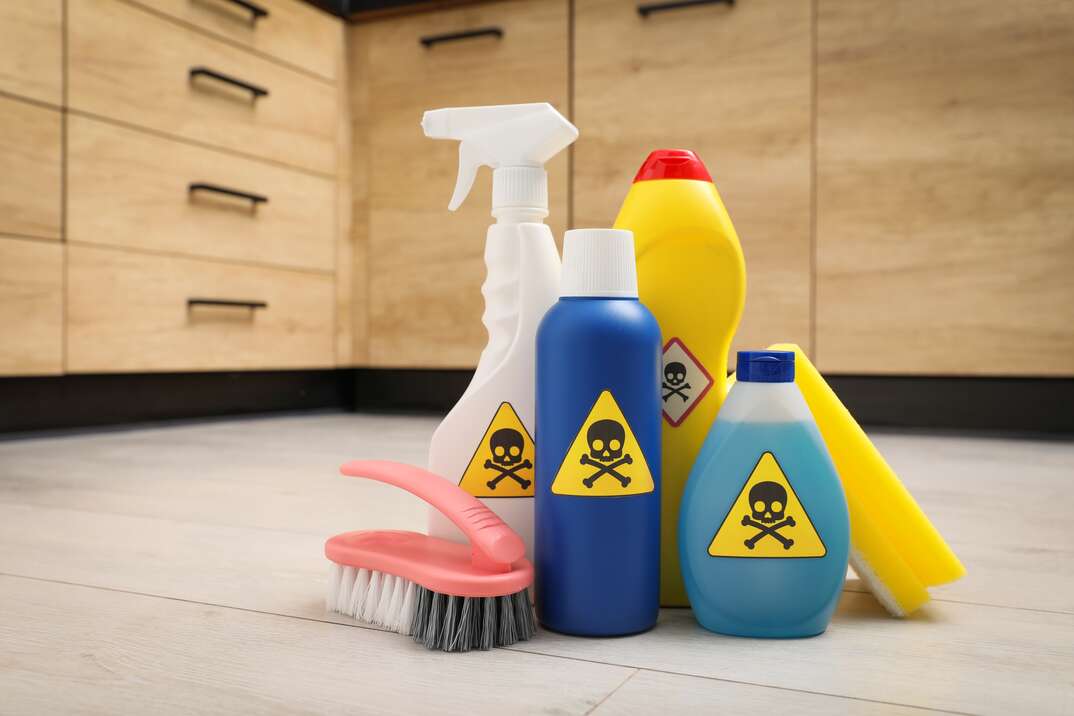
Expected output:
(764, 534)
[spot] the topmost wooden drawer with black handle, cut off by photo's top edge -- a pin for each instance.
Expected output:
(292, 31)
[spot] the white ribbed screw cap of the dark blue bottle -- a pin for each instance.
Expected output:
(599, 264)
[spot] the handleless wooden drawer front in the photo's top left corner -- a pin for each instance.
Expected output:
(32, 50)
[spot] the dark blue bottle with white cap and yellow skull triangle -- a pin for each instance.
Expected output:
(599, 450)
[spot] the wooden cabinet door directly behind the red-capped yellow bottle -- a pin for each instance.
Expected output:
(732, 83)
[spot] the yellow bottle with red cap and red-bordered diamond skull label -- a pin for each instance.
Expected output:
(692, 276)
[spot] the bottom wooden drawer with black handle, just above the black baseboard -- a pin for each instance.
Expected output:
(128, 312)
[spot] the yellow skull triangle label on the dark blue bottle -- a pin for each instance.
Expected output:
(605, 460)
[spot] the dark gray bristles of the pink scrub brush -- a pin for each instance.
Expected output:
(461, 624)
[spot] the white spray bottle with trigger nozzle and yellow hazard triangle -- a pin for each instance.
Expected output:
(486, 444)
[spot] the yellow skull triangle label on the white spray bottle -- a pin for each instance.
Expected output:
(503, 463)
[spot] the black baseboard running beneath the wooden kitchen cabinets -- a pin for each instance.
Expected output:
(1024, 405)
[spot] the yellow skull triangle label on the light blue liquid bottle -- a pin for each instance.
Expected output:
(767, 520)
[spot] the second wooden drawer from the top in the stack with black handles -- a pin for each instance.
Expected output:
(134, 66)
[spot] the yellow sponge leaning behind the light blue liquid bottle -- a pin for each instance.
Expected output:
(894, 548)
